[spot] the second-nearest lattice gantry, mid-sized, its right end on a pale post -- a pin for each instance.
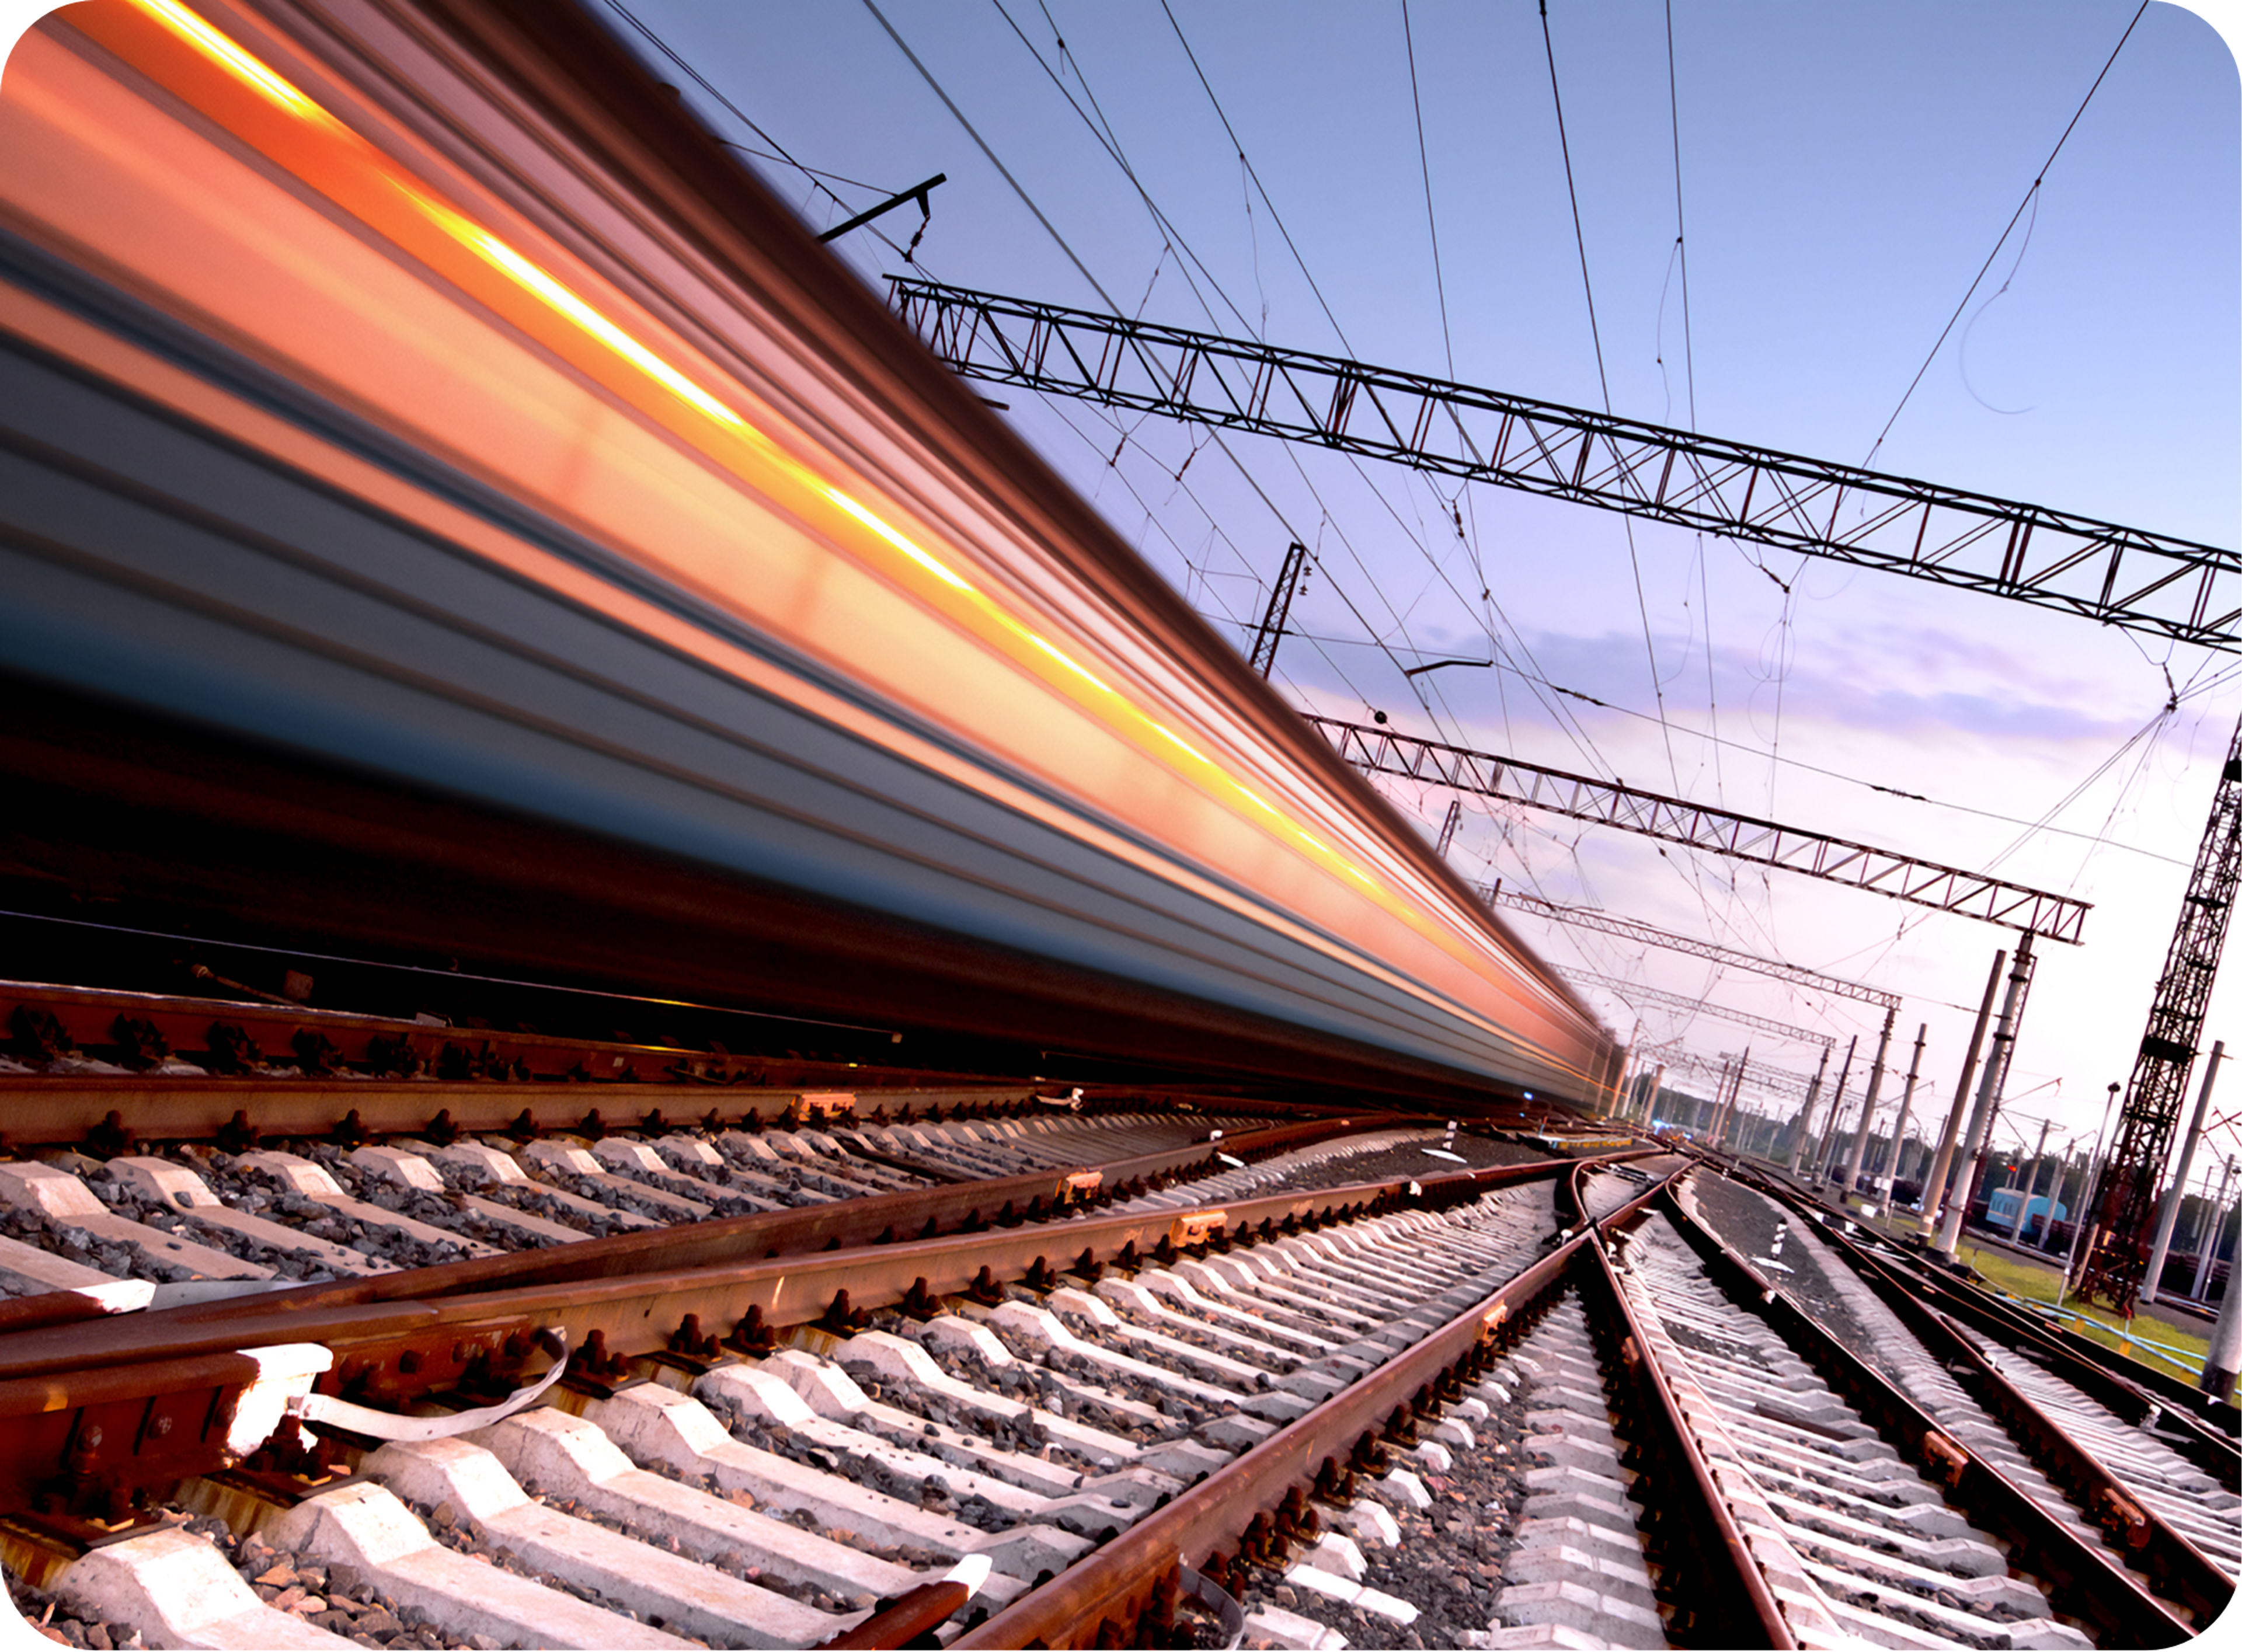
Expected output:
(1701, 828)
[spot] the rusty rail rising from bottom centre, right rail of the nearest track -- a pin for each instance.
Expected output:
(1266, 1485)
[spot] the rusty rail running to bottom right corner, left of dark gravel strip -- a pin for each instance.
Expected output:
(2084, 1579)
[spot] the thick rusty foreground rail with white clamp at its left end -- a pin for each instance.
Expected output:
(98, 1413)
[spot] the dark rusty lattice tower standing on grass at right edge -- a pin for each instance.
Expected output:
(2127, 1196)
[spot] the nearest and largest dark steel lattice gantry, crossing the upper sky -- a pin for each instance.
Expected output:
(2151, 584)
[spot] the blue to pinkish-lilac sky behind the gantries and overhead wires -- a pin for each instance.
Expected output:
(1844, 174)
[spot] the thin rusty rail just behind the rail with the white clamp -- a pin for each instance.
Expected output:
(871, 1221)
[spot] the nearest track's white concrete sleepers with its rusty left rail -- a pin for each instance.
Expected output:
(1169, 1377)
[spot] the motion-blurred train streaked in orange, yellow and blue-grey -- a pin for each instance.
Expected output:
(447, 505)
